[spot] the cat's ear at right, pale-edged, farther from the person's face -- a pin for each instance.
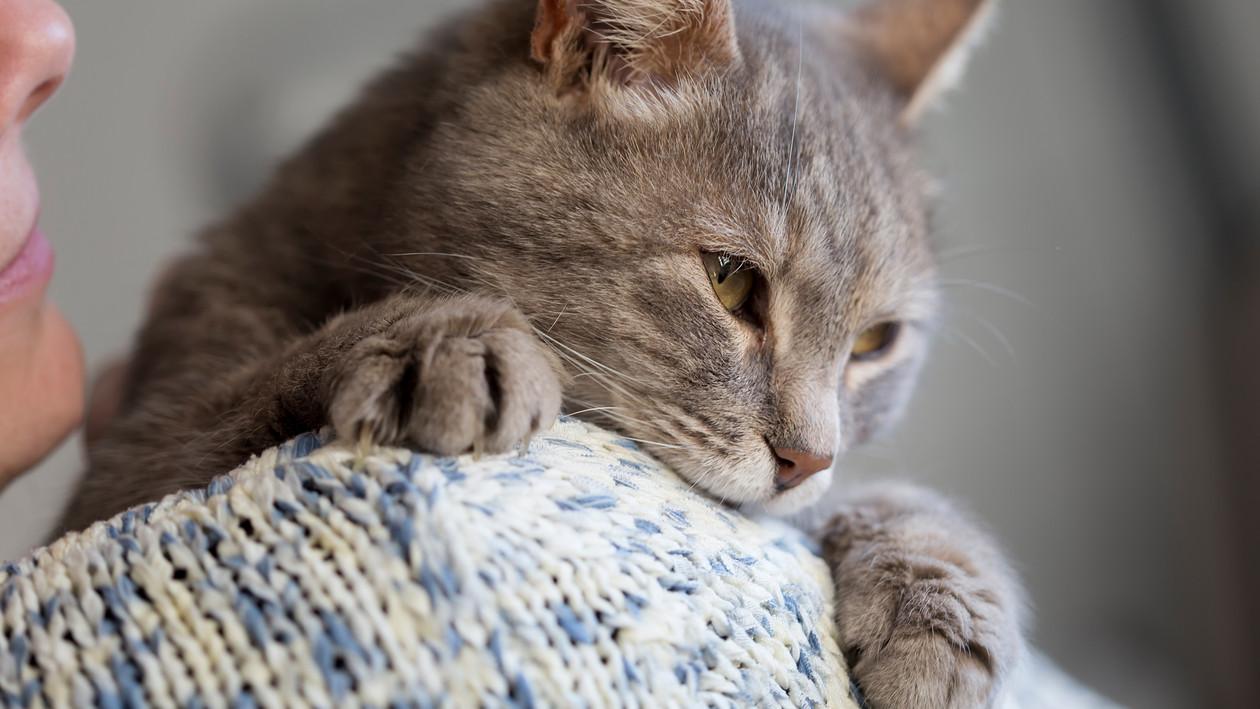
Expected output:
(919, 46)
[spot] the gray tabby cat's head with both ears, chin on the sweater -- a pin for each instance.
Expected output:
(711, 213)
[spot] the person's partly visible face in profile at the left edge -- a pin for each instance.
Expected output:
(41, 361)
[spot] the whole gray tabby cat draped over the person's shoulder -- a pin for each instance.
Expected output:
(699, 225)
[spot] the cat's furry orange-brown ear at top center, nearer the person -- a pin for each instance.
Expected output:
(595, 45)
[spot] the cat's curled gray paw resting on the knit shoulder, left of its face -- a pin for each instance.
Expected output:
(464, 376)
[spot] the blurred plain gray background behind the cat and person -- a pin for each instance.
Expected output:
(1093, 397)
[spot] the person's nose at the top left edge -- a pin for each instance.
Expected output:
(37, 47)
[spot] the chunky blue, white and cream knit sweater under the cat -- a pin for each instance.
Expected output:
(578, 576)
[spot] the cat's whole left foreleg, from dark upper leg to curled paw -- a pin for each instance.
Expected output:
(444, 375)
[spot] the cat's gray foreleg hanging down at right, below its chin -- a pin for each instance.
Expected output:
(928, 609)
